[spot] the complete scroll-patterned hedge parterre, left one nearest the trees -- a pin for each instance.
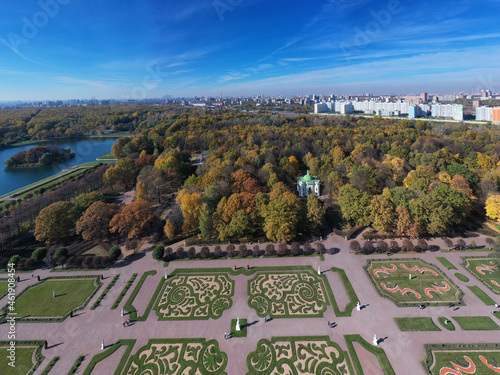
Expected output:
(195, 296)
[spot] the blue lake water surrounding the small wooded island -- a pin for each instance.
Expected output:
(87, 149)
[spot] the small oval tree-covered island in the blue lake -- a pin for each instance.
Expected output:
(39, 156)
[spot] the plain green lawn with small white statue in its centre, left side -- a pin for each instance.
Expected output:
(70, 293)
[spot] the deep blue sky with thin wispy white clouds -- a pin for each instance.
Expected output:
(63, 49)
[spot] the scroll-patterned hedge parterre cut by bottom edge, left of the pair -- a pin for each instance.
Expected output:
(178, 357)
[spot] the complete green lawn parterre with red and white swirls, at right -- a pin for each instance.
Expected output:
(410, 282)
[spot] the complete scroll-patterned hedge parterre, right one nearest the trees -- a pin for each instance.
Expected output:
(287, 294)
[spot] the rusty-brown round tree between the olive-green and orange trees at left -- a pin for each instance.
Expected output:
(94, 223)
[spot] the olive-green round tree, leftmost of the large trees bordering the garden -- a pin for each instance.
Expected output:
(55, 222)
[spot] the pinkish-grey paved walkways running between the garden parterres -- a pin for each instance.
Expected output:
(82, 334)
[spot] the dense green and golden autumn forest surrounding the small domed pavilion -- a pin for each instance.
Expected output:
(234, 177)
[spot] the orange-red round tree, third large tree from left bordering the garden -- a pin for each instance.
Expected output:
(133, 219)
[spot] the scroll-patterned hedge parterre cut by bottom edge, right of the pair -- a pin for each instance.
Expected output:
(305, 356)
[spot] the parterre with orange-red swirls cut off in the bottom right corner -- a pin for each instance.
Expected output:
(451, 359)
